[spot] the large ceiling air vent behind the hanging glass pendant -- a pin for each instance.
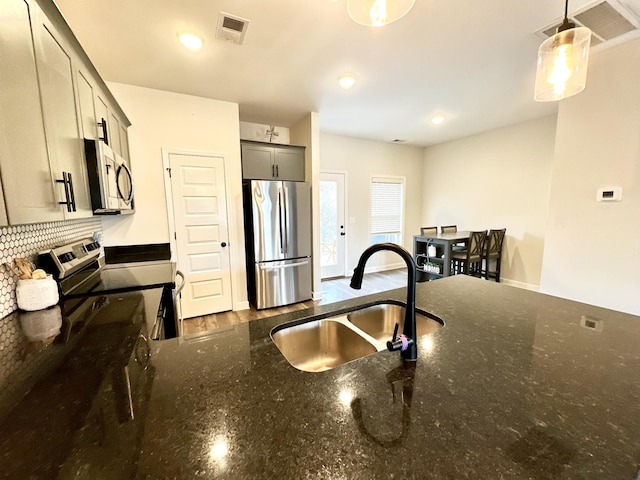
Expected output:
(610, 22)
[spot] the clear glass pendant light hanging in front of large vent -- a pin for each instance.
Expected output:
(562, 62)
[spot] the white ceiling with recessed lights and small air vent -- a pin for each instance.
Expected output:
(474, 61)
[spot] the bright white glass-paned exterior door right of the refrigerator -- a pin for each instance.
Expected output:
(333, 231)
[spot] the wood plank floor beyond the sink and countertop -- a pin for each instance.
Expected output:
(333, 290)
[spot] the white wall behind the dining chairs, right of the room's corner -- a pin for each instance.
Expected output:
(498, 179)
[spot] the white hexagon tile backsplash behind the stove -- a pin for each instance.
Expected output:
(26, 241)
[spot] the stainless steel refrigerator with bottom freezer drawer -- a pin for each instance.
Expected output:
(278, 241)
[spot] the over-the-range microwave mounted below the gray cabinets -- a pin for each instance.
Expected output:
(110, 181)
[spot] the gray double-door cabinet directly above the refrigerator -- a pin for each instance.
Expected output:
(264, 161)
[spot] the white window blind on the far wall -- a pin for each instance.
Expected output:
(386, 205)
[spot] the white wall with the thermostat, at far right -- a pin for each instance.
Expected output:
(592, 251)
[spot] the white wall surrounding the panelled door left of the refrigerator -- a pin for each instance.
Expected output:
(174, 121)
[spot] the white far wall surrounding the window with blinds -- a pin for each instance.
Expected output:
(363, 159)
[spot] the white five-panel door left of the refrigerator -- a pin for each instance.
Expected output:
(198, 196)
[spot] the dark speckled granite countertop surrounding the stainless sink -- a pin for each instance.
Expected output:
(516, 385)
